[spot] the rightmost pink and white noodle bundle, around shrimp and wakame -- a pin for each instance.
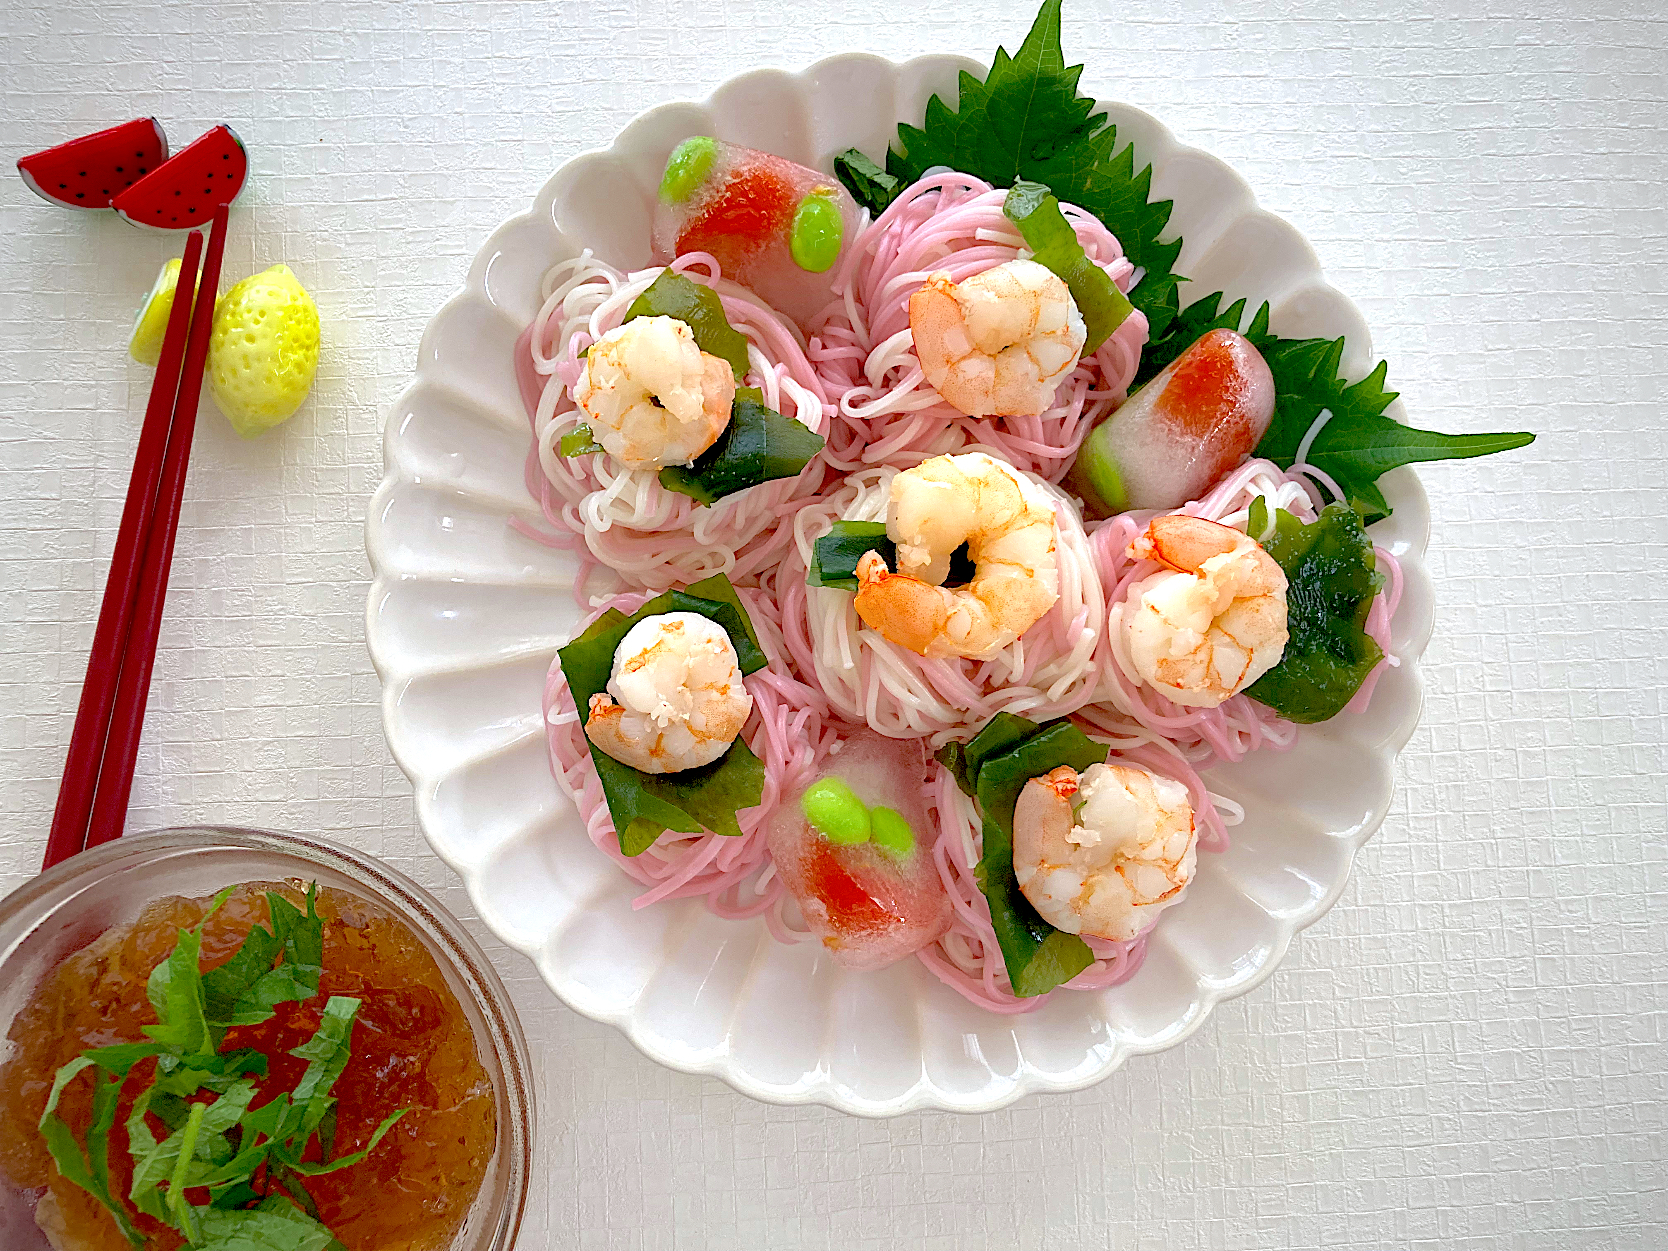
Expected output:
(1240, 725)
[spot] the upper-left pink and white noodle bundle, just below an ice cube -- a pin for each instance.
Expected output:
(628, 530)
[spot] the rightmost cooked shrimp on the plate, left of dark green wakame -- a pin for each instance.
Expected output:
(1215, 623)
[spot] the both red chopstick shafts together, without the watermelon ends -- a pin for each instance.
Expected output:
(99, 768)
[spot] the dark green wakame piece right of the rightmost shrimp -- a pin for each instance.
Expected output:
(1332, 576)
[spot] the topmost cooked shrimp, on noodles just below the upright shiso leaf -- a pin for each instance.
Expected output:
(1000, 343)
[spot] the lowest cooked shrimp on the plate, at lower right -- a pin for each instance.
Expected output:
(1105, 853)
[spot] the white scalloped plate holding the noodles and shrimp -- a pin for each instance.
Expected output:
(466, 616)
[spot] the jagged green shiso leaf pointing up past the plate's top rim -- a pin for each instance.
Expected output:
(1027, 121)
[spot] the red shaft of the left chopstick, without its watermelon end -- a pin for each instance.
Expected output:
(104, 663)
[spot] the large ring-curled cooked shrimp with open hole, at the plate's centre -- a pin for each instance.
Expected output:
(1010, 530)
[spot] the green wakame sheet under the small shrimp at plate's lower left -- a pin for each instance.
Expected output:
(641, 805)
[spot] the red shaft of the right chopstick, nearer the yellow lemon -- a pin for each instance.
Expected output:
(116, 773)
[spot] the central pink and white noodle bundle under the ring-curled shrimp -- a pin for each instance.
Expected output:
(1048, 673)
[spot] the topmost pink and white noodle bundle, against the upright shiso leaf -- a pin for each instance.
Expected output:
(865, 353)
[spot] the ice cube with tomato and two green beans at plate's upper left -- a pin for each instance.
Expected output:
(776, 228)
